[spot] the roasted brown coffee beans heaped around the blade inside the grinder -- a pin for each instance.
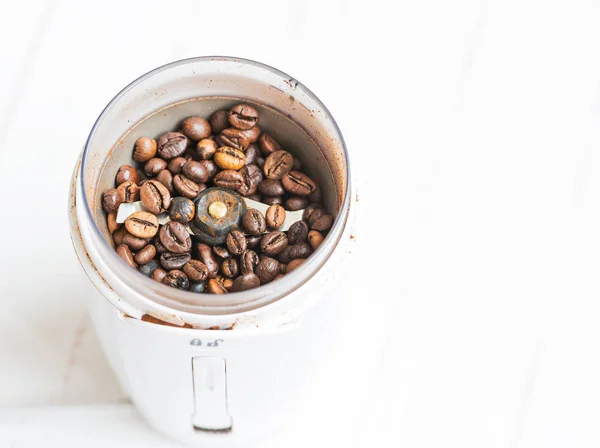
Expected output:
(229, 151)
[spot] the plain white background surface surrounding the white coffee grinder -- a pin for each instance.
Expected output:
(475, 129)
